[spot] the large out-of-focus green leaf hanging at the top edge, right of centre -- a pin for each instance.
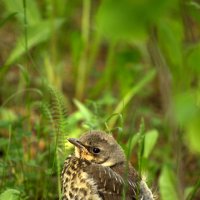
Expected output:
(124, 19)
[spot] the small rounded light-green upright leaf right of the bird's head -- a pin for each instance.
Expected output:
(150, 141)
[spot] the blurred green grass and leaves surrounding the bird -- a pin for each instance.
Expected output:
(127, 67)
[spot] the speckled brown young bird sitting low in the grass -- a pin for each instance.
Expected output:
(98, 170)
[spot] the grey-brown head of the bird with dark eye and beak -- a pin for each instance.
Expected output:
(98, 147)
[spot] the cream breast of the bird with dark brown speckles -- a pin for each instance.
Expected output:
(76, 184)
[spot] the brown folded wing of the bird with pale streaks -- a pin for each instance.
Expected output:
(111, 185)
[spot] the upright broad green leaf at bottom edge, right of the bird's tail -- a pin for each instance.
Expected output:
(167, 184)
